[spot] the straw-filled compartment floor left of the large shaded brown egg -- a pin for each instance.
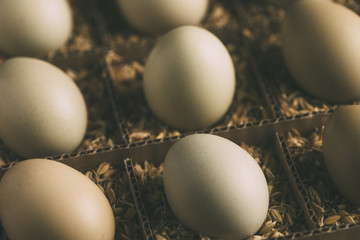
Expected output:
(263, 29)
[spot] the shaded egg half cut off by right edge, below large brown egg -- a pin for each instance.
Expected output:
(341, 148)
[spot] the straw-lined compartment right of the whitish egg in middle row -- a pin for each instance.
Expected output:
(102, 130)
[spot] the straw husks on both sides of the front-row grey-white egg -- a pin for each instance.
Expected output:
(283, 215)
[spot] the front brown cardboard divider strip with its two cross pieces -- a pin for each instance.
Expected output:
(266, 134)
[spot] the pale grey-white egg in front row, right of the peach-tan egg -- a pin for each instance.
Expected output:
(215, 187)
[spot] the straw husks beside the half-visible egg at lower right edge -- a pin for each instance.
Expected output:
(330, 207)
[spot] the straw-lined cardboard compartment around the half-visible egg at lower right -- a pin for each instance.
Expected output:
(326, 209)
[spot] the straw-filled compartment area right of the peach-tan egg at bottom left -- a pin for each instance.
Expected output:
(115, 180)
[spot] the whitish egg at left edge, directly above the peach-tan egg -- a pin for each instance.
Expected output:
(42, 110)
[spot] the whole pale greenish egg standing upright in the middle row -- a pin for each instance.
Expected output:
(189, 78)
